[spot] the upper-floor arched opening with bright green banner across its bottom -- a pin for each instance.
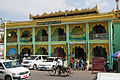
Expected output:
(77, 33)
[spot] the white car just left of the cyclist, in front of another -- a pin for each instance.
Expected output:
(47, 65)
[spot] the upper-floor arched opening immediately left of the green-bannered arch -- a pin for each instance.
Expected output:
(59, 35)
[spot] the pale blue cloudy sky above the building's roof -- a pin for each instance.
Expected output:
(18, 10)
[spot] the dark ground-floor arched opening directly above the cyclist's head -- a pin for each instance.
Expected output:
(59, 52)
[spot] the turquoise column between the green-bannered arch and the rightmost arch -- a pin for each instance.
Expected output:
(87, 42)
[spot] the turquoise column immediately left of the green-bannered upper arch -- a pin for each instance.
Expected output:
(67, 42)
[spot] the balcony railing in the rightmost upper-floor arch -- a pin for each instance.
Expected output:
(101, 36)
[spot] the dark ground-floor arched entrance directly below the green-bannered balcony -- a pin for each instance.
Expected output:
(79, 52)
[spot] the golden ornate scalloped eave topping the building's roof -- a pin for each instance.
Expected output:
(66, 13)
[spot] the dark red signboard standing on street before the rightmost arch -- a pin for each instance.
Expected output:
(98, 64)
